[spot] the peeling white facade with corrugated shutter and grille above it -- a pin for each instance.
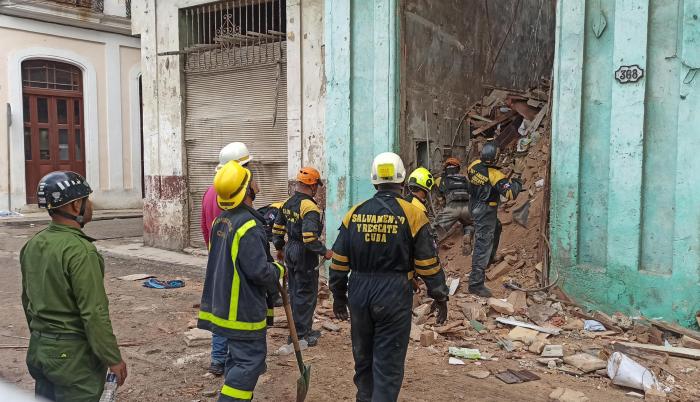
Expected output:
(218, 72)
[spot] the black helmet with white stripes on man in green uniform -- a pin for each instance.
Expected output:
(57, 189)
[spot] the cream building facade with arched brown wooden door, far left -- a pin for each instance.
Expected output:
(69, 80)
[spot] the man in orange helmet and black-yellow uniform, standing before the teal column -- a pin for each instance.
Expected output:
(300, 220)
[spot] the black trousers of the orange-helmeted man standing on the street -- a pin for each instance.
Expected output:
(303, 285)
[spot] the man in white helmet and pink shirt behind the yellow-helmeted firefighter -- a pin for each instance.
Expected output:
(235, 151)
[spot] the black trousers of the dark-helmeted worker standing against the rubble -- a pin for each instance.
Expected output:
(487, 235)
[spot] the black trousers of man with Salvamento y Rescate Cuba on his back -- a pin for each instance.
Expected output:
(380, 318)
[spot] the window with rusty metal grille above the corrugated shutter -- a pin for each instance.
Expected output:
(233, 33)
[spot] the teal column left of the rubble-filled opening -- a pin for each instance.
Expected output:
(361, 100)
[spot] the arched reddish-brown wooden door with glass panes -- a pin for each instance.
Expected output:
(53, 121)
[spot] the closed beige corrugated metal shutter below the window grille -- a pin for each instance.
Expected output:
(244, 104)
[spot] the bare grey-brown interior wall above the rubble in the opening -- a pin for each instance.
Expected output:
(451, 51)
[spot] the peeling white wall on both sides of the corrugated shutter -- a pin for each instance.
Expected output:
(166, 204)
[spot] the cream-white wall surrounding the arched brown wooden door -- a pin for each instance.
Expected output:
(102, 58)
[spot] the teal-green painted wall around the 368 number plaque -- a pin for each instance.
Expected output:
(625, 206)
